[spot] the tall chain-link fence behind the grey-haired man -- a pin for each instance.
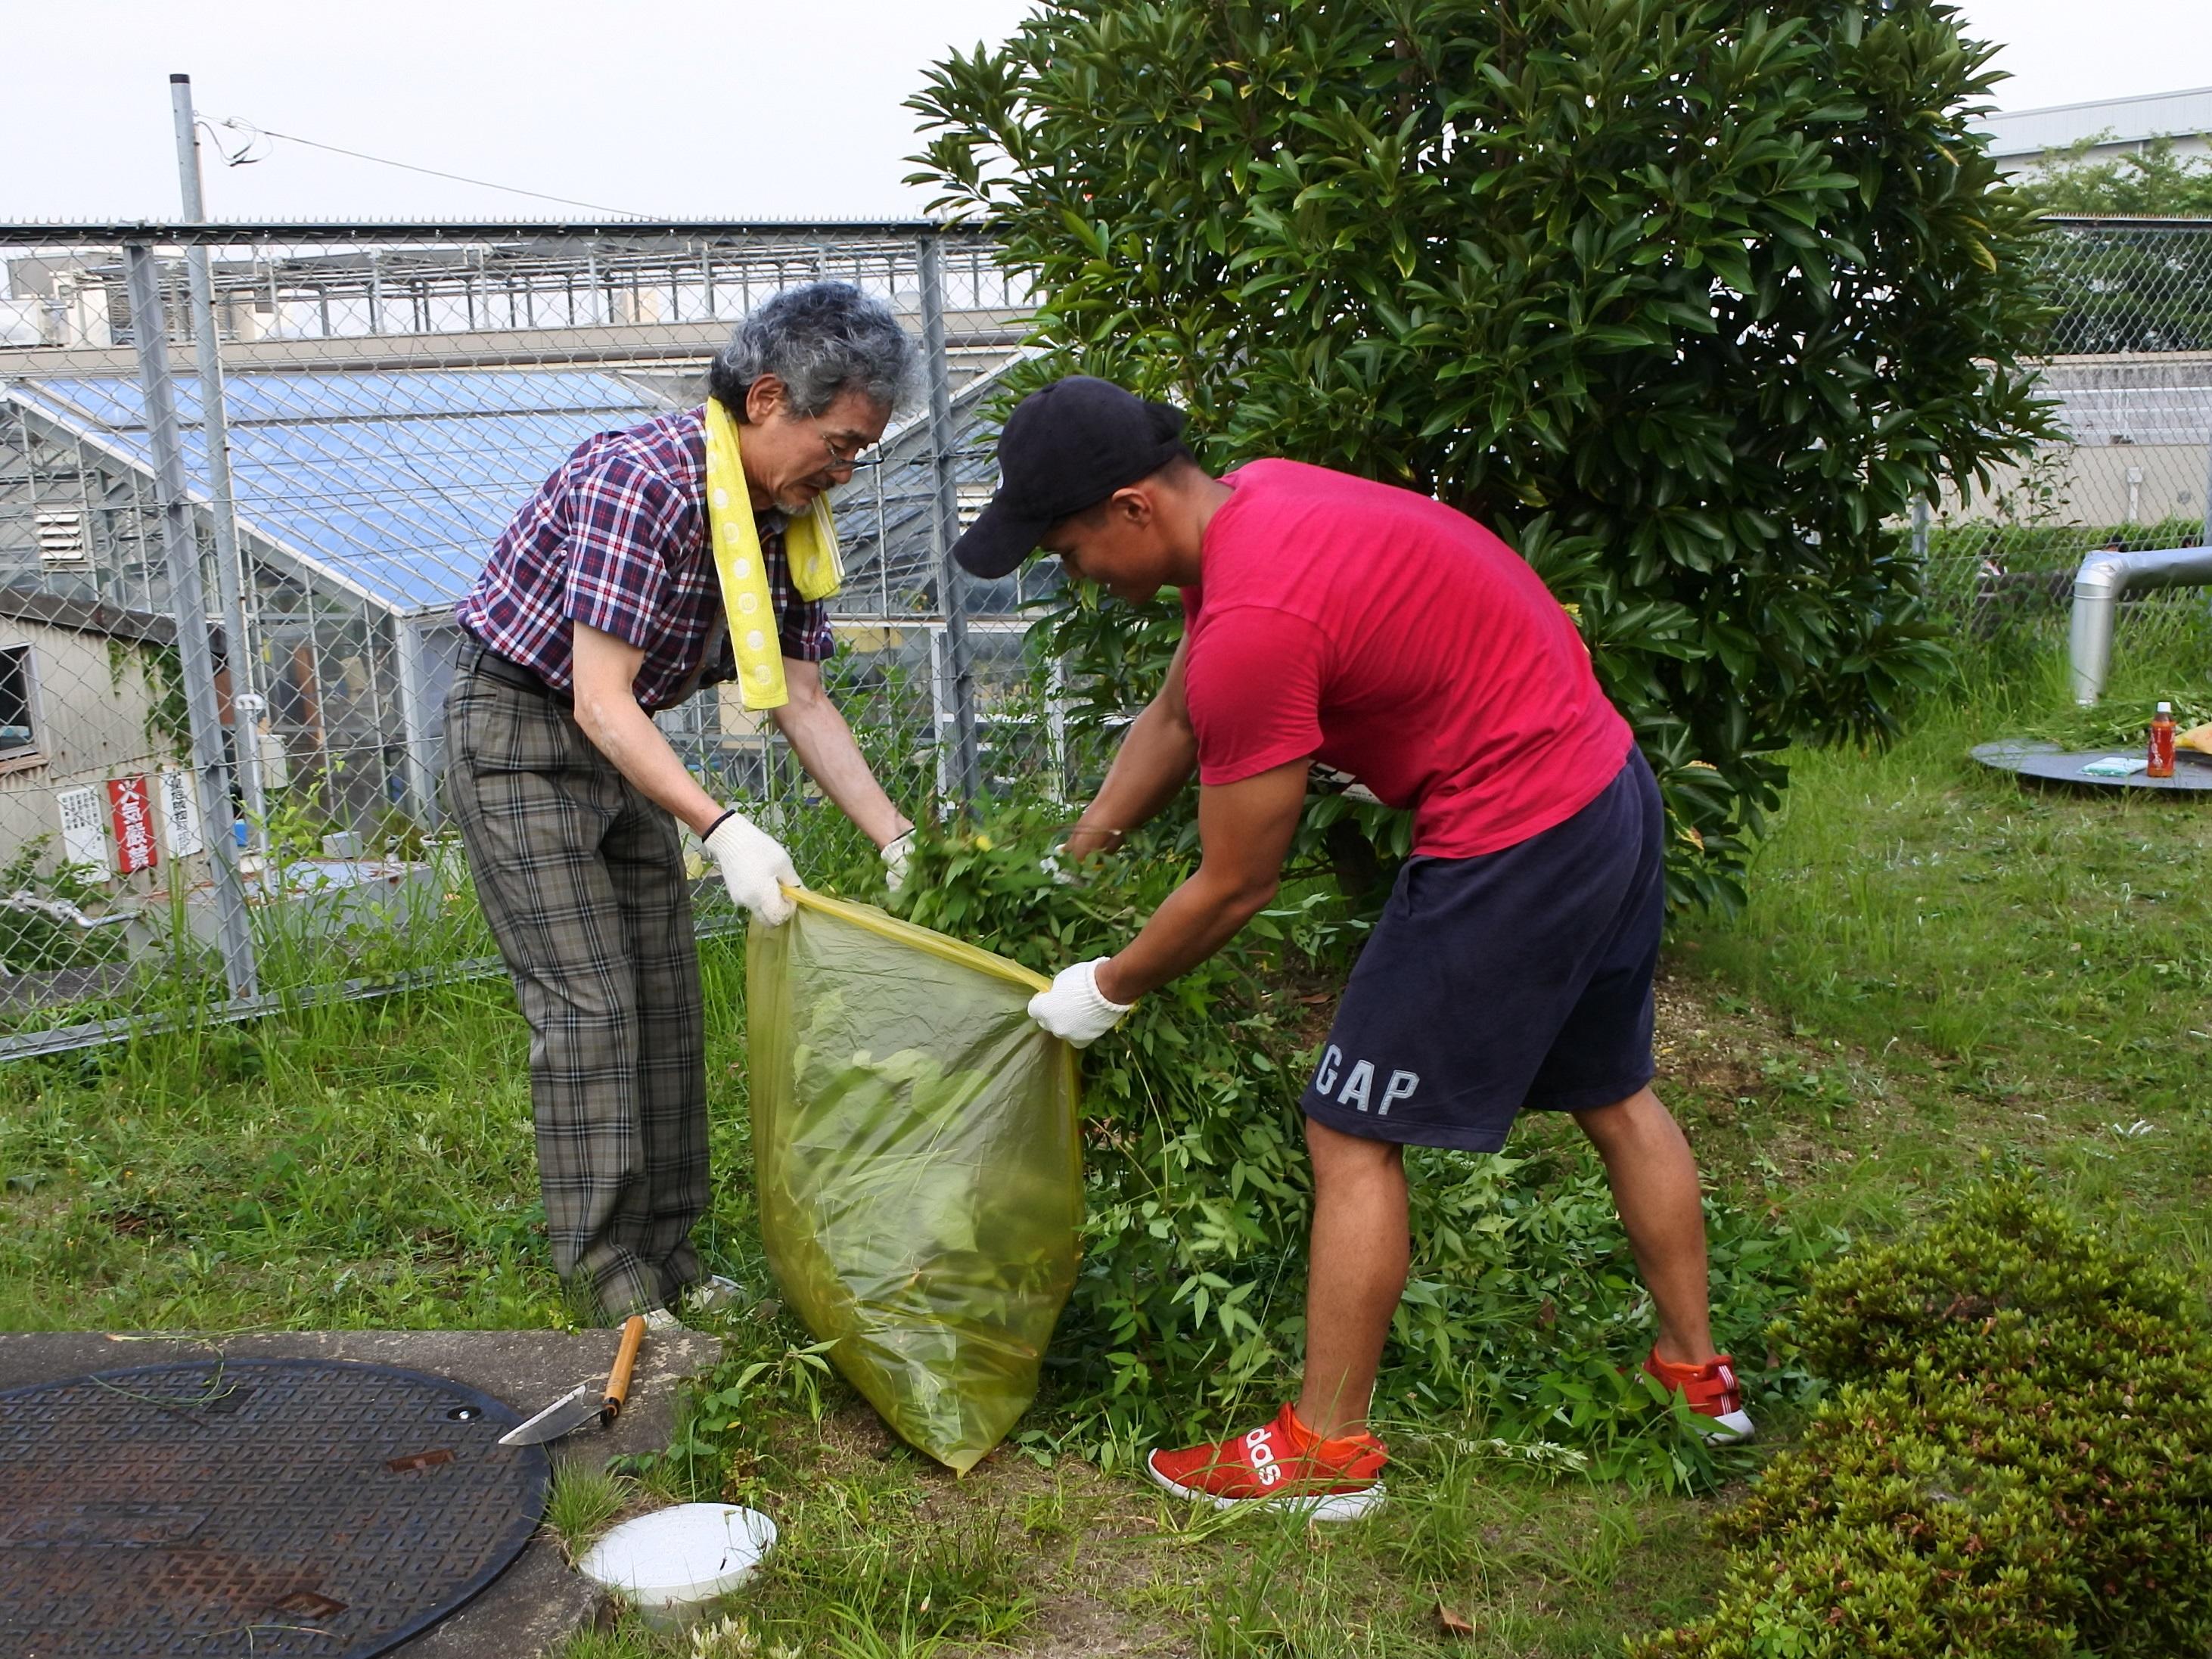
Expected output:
(233, 811)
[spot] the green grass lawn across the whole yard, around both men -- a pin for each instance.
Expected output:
(1937, 972)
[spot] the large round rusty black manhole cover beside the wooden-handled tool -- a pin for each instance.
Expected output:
(251, 1507)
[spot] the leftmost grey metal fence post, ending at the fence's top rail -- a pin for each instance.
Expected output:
(189, 607)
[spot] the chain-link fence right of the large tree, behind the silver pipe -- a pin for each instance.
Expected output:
(2131, 375)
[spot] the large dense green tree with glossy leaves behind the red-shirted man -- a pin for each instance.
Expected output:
(1689, 300)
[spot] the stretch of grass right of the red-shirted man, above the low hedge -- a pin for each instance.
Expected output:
(1999, 972)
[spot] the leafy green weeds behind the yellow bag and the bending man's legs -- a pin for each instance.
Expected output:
(1523, 1313)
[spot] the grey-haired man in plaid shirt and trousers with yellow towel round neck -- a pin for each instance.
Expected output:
(678, 554)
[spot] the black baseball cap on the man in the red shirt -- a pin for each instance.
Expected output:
(1065, 448)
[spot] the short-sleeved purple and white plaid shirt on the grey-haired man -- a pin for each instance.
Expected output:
(616, 539)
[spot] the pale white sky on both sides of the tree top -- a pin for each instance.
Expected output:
(744, 109)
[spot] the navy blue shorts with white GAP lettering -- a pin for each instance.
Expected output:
(1521, 979)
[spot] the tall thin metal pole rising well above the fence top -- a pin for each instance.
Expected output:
(216, 444)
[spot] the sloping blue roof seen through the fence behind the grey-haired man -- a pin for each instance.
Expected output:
(395, 483)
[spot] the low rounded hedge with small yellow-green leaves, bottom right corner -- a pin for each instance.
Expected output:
(2018, 1461)
